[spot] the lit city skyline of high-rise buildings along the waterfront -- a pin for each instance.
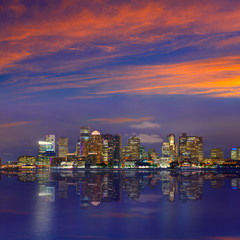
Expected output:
(110, 147)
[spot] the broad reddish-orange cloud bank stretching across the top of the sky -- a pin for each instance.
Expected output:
(79, 25)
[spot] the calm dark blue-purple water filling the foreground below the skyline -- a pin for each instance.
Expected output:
(120, 205)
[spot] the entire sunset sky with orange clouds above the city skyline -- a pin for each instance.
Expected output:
(136, 67)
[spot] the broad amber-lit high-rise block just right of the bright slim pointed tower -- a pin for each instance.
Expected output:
(191, 147)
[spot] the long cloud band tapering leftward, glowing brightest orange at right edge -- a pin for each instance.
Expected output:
(216, 77)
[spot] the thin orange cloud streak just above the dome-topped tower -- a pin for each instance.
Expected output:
(120, 120)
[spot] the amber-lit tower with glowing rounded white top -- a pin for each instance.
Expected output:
(95, 148)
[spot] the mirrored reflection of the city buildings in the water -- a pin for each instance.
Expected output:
(96, 187)
